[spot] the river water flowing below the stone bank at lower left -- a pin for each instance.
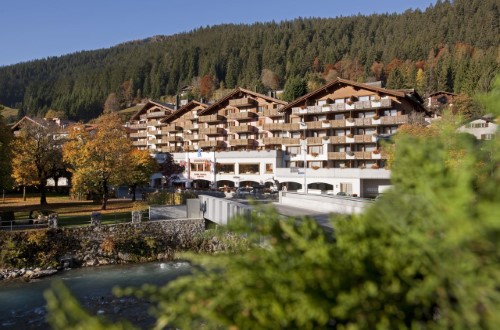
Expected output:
(22, 304)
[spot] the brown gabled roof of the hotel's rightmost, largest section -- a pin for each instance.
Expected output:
(339, 82)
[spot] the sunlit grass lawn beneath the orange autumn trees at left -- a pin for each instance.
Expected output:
(71, 212)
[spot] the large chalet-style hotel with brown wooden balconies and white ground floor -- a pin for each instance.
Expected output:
(328, 139)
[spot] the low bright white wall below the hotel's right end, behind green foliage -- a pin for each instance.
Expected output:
(324, 203)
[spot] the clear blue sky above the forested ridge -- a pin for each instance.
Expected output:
(33, 29)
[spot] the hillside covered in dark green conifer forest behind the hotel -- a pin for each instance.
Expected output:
(452, 46)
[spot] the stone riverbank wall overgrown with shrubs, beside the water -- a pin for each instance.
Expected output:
(111, 244)
